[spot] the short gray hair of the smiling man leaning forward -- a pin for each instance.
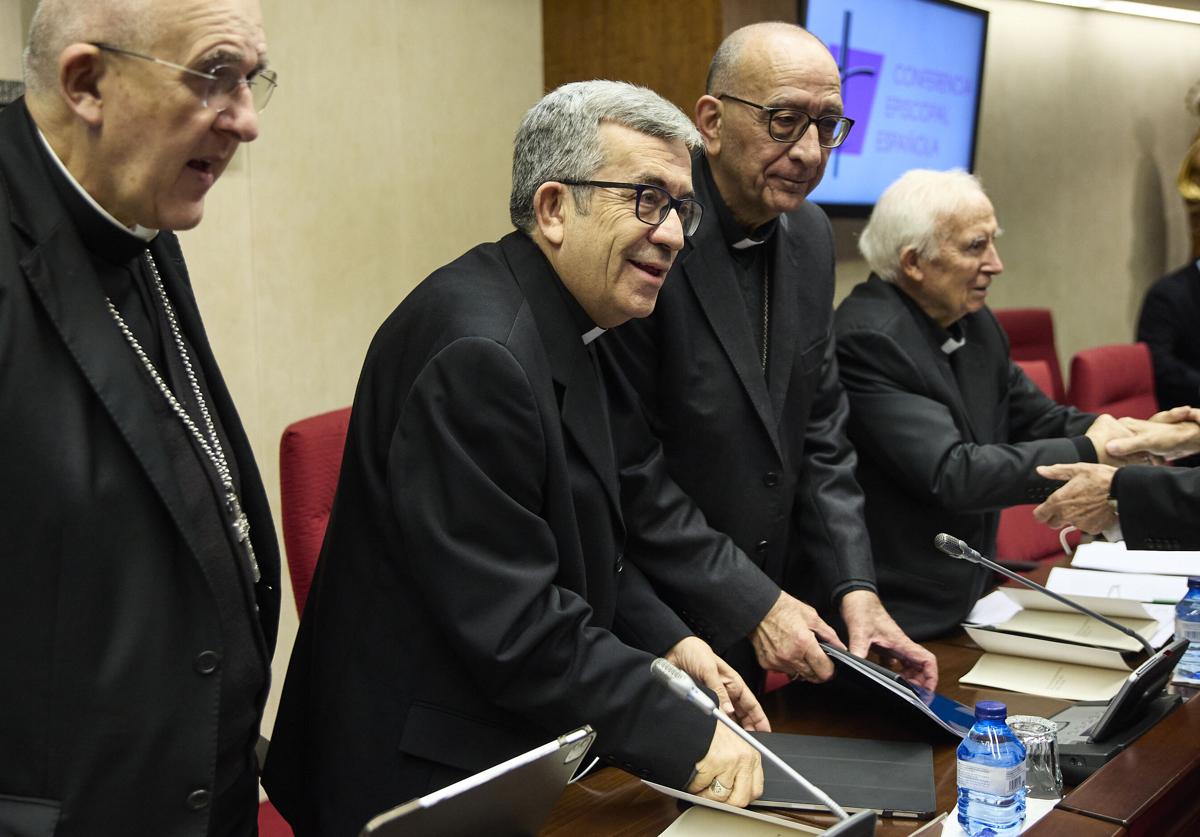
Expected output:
(560, 139)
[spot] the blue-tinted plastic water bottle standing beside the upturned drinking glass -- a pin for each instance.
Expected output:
(992, 775)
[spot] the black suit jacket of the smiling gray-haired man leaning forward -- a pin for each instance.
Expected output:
(472, 582)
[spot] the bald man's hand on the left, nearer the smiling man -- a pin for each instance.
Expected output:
(787, 641)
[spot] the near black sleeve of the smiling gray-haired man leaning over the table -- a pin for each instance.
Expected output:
(467, 471)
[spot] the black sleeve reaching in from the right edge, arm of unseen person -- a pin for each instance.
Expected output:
(1160, 508)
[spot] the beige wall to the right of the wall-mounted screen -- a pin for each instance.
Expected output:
(1082, 134)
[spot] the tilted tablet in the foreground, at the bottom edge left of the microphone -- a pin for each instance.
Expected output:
(512, 799)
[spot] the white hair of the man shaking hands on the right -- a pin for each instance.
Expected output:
(911, 214)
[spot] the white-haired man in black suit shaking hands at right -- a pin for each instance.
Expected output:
(949, 429)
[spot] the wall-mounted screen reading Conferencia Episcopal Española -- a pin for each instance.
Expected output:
(913, 73)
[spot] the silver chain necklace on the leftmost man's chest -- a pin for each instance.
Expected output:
(212, 444)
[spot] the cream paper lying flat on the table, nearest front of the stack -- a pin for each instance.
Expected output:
(1046, 678)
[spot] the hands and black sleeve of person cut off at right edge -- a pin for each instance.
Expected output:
(1149, 508)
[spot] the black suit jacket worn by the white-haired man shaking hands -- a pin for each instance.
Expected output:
(941, 448)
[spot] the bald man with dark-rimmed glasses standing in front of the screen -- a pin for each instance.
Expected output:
(737, 366)
